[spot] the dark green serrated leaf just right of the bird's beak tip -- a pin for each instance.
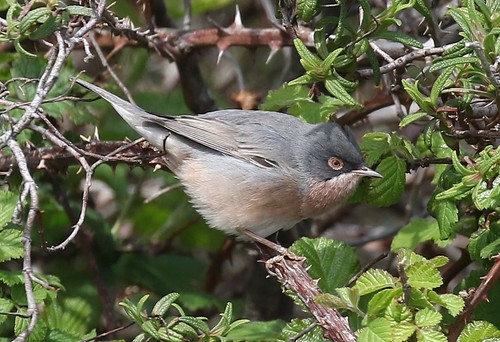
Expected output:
(386, 191)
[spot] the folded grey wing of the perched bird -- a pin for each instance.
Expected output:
(263, 138)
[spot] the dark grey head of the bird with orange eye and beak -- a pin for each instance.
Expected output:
(330, 150)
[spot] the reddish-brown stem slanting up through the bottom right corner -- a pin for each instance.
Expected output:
(480, 295)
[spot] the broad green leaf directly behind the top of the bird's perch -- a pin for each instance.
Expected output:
(332, 262)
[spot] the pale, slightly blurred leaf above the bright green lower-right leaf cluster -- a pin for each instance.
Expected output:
(416, 232)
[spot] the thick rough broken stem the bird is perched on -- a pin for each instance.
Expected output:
(294, 277)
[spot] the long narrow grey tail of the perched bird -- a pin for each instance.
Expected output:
(142, 122)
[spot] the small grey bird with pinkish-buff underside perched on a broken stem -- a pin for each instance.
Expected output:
(251, 172)
